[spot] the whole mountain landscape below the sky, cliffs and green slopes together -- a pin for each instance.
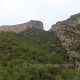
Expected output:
(28, 52)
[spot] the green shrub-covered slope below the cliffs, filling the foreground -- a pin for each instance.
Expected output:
(20, 53)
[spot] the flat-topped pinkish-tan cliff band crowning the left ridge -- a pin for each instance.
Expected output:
(22, 27)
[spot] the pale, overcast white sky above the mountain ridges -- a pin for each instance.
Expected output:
(48, 11)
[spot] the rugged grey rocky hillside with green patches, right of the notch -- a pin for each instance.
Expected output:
(69, 33)
